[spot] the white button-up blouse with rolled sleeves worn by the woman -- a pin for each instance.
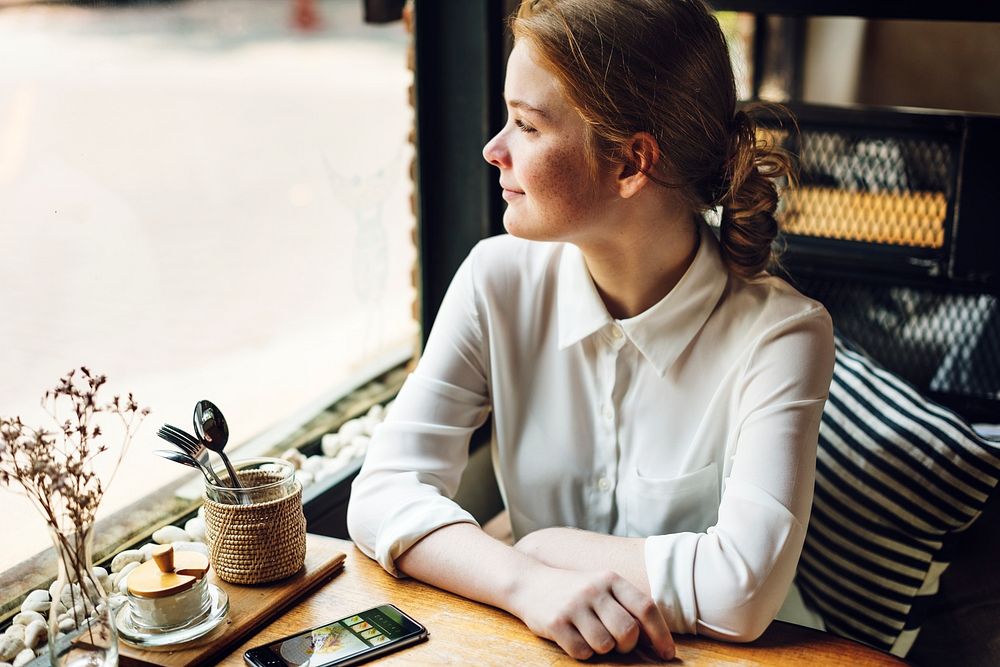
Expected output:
(693, 424)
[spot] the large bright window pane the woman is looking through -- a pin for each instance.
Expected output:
(200, 199)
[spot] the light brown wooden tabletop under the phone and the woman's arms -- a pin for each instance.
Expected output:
(469, 633)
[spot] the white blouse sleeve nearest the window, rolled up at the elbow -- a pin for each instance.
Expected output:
(417, 455)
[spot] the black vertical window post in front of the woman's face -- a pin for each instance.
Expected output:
(459, 106)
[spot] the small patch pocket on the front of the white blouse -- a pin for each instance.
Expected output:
(657, 506)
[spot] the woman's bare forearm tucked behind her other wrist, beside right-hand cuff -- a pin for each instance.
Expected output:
(573, 549)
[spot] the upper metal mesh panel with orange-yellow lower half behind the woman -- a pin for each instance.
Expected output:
(874, 189)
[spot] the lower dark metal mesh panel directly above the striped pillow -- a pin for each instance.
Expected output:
(943, 342)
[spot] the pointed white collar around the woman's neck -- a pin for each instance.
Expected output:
(663, 331)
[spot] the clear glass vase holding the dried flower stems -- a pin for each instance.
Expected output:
(82, 629)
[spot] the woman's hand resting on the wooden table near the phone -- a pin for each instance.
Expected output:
(587, 612)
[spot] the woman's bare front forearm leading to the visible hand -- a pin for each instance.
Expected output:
(461, 558)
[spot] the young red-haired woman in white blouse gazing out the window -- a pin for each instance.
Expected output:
(656, 396)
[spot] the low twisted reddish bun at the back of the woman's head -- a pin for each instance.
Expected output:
(748, 227)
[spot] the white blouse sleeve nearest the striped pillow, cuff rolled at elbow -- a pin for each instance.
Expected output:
(730, 581)
